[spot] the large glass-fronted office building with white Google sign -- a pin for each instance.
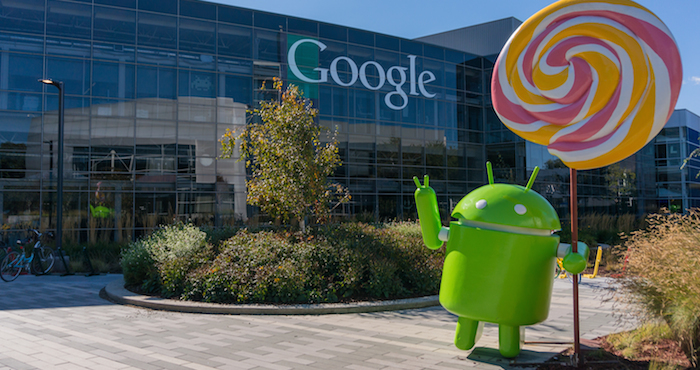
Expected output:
(151, 85)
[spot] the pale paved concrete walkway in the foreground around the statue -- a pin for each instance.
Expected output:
(54, 322)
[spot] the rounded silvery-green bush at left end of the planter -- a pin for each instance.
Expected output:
(159, 262)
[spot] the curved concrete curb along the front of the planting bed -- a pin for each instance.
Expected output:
(116, 292)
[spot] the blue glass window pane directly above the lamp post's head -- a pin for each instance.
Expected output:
(75, 74)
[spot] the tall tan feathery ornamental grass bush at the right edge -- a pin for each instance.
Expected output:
(664, 275)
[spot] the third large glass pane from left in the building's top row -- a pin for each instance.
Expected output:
(115, 25)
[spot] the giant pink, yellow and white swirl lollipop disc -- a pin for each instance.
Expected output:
(594, 81)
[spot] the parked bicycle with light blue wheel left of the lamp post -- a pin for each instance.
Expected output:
(41, 260)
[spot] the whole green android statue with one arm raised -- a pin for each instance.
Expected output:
(500, 259)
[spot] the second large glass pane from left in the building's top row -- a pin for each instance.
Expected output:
(69, 19)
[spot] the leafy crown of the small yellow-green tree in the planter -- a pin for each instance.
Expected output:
(288, 163)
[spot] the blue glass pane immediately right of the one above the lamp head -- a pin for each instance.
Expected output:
(113, 80)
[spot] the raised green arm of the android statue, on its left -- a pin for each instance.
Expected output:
(428, 213)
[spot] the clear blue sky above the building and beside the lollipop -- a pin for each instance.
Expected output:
(413, 18)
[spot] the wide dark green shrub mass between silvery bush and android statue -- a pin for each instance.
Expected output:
(339, 262)
